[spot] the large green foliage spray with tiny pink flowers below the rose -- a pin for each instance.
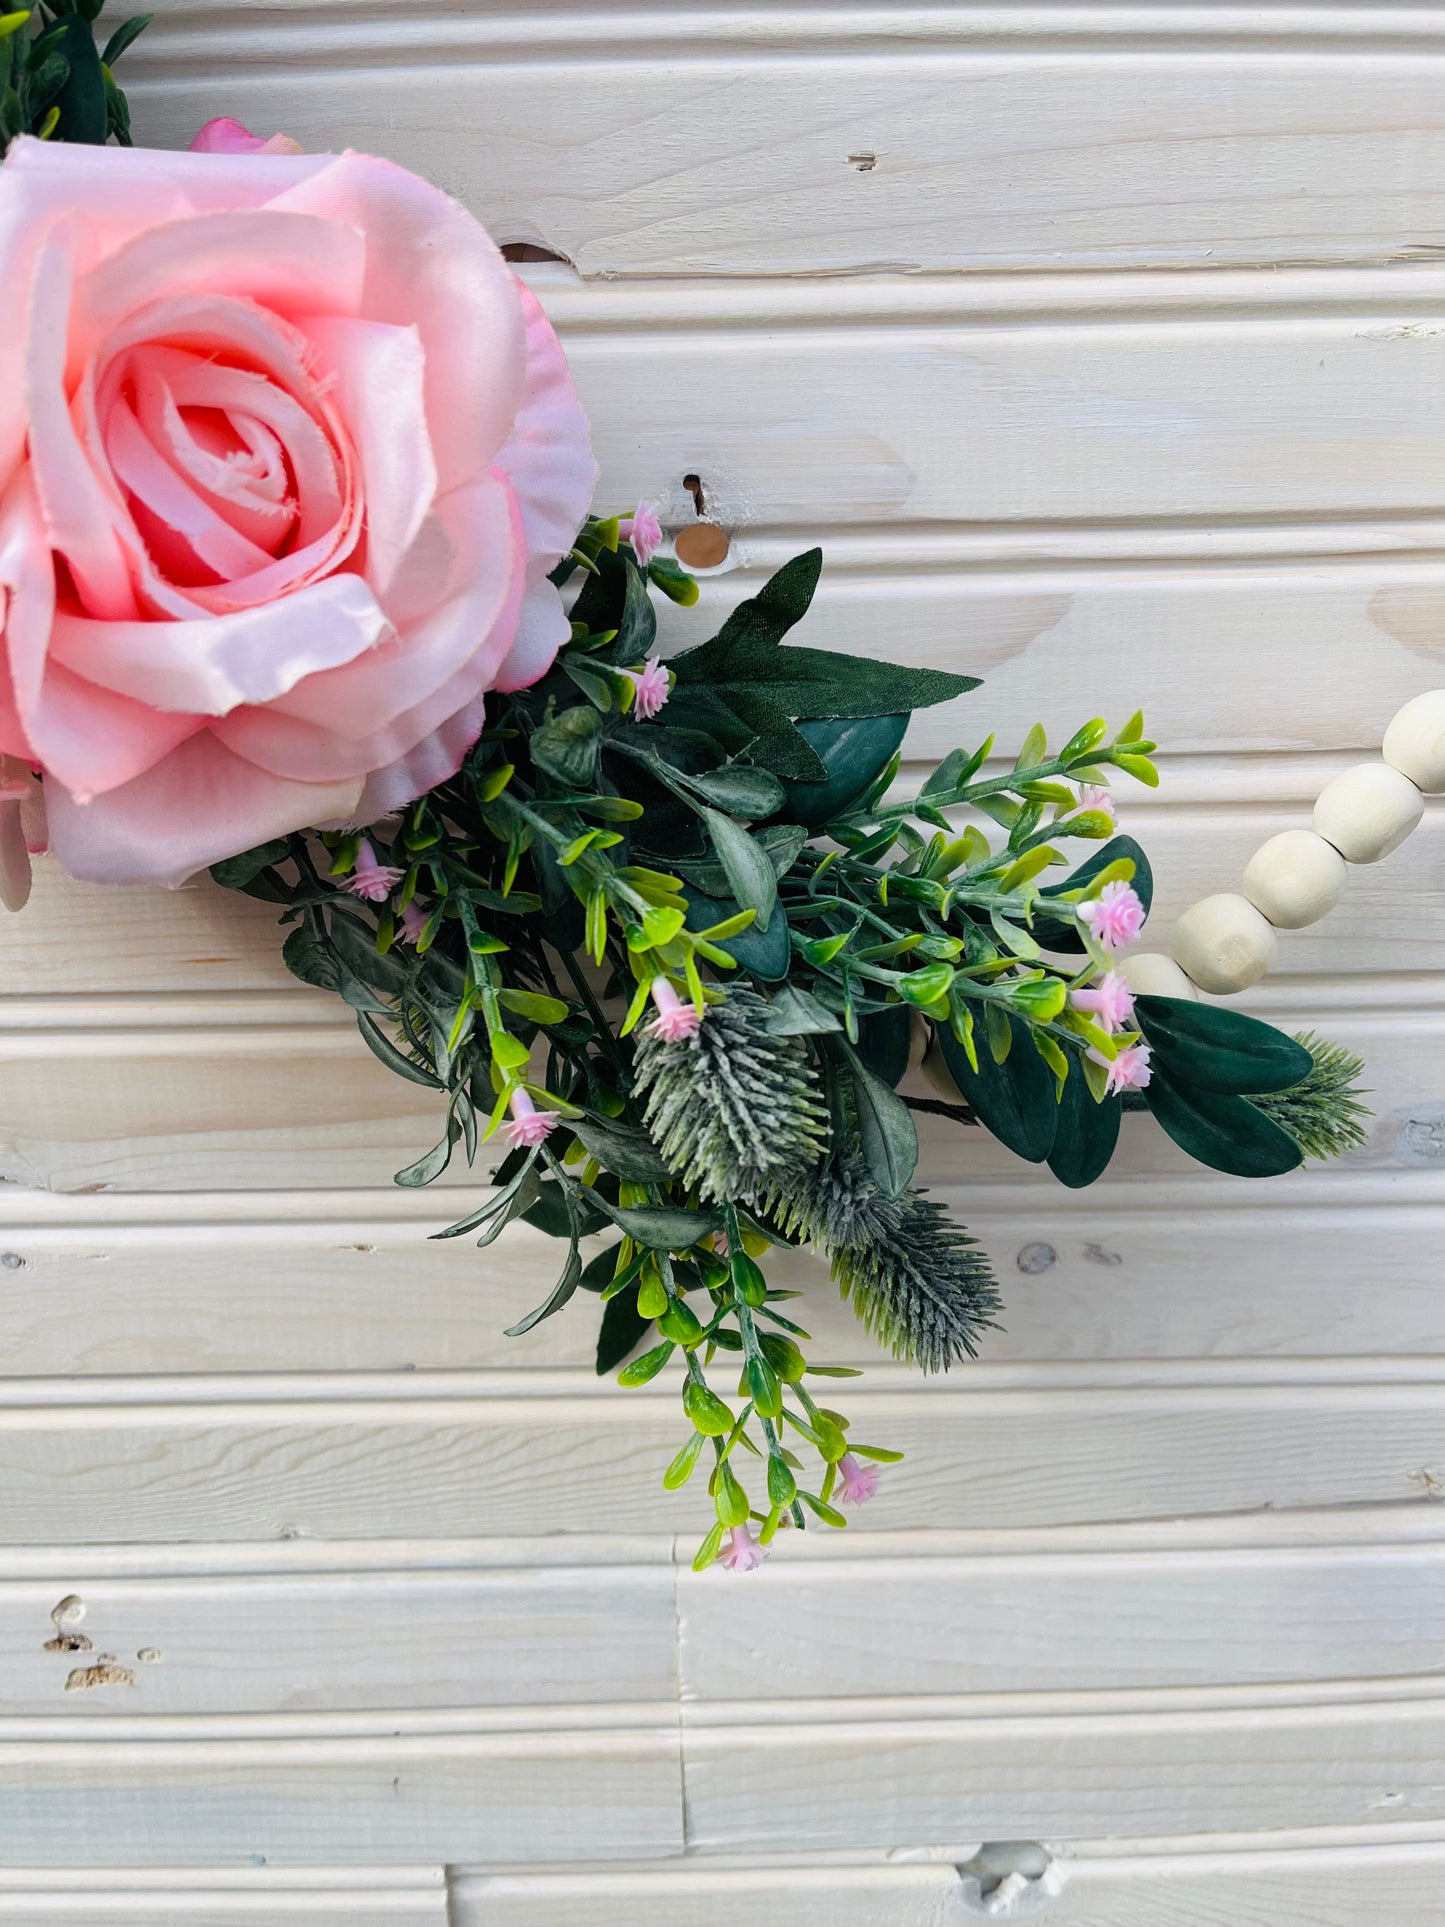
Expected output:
(683, 961)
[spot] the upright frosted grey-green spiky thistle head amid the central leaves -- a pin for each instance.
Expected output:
(733, 1107)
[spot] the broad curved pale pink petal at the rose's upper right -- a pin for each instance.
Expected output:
(431, 265)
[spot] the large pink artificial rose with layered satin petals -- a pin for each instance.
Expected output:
(286, 458)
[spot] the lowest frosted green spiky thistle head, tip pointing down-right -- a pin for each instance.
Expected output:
(914, 1277)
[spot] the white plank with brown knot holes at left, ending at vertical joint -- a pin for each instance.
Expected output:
(273, 1643)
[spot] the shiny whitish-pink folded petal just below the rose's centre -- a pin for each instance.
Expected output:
(219, 664)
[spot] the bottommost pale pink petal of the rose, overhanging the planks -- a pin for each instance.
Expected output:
(196, 808)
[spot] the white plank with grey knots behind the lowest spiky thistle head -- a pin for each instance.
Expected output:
(1118, 1271)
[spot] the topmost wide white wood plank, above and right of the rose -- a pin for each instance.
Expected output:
(943, 138)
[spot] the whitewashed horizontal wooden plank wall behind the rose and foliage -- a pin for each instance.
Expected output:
(1101, 348)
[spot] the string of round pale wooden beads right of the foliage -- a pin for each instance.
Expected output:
(1226, 943)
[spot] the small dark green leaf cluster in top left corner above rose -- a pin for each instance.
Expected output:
(57, 80)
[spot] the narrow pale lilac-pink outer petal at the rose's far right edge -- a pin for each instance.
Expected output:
(548, 456)
